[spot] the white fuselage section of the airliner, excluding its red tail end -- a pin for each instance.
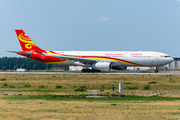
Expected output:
(122, 58)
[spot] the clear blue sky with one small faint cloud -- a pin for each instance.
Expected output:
(94, 25)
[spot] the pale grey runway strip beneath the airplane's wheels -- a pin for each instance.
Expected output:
(103, 73)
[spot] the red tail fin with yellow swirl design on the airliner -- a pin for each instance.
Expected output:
(26, 43)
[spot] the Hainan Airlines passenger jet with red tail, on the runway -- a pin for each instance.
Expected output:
(91, 61)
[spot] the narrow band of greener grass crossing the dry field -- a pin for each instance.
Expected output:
(80, 97)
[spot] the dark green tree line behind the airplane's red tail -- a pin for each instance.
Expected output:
(12, 63)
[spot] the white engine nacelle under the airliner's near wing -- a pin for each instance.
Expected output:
(102, 66)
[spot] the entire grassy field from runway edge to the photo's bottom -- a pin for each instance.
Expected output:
(75, 106)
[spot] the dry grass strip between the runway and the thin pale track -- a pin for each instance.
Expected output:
(93, 81)
